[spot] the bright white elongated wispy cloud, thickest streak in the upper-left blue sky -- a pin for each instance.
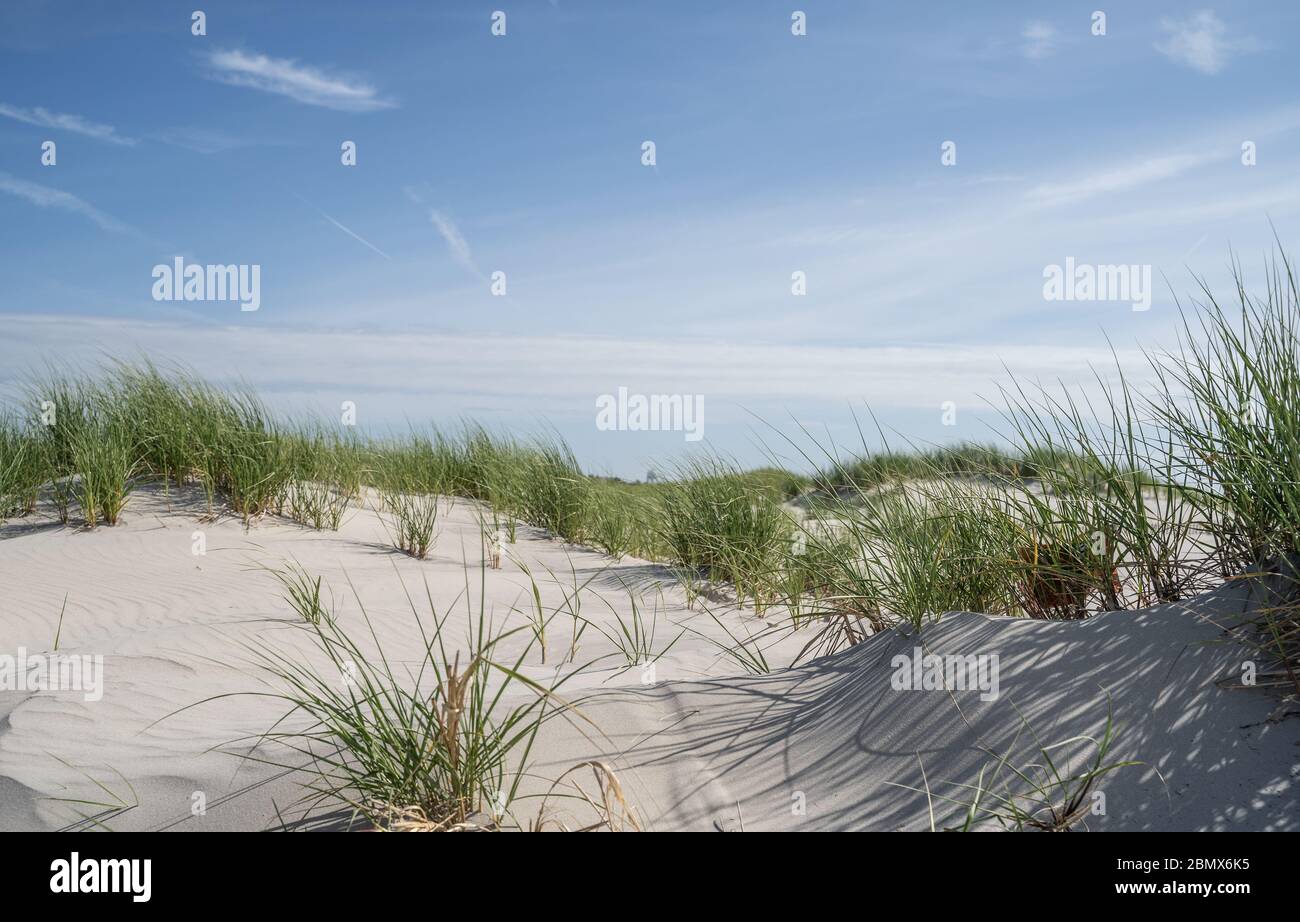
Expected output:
(287, 77)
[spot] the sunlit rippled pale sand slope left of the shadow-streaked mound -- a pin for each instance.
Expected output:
(177, 630)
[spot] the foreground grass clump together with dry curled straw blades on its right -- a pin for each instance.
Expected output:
(441, 744)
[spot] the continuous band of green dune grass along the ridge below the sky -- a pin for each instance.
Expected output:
(1121, 500)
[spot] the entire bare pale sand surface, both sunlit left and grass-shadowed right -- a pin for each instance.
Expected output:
(703, 748)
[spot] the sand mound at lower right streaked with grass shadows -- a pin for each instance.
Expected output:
(736, 752)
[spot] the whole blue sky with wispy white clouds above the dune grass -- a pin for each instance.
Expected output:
(523, 154)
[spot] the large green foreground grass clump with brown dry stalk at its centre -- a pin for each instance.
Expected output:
(443, 742)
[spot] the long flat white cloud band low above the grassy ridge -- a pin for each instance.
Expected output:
(558, 375)
